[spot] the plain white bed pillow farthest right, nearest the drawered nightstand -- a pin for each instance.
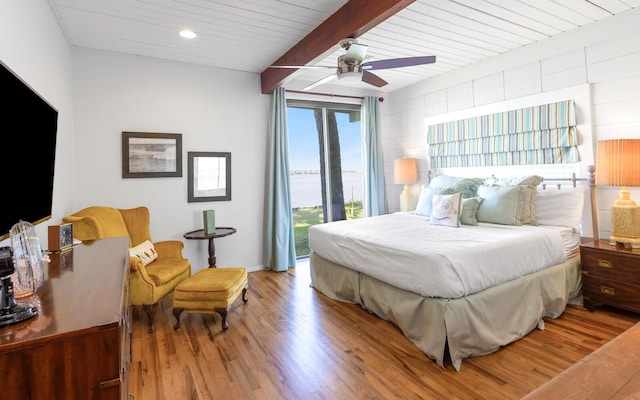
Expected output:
(560, 207)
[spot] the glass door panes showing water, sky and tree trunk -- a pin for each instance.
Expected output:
(325, 161)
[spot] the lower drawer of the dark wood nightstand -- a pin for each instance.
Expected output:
(615, 293)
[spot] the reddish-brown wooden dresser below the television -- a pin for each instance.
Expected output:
(79, 344)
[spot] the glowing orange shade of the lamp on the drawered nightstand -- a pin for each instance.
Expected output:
(618, 162)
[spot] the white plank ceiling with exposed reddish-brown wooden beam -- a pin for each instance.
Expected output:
(251, 35)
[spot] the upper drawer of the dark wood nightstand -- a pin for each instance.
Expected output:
(611, 265)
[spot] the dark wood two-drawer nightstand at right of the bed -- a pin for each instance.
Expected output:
(610, 275)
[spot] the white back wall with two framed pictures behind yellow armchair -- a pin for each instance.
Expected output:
(214, 110)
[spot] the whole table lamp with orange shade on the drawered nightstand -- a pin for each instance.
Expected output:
(618, 164)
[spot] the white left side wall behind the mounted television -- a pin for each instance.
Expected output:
(33, 46)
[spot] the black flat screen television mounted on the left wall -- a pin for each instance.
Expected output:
(29, 126)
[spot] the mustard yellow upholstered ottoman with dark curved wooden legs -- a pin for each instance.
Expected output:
(210, 291)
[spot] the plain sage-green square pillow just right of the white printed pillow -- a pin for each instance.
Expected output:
(500, 205)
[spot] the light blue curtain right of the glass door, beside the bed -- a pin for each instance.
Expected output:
(374, 196)
